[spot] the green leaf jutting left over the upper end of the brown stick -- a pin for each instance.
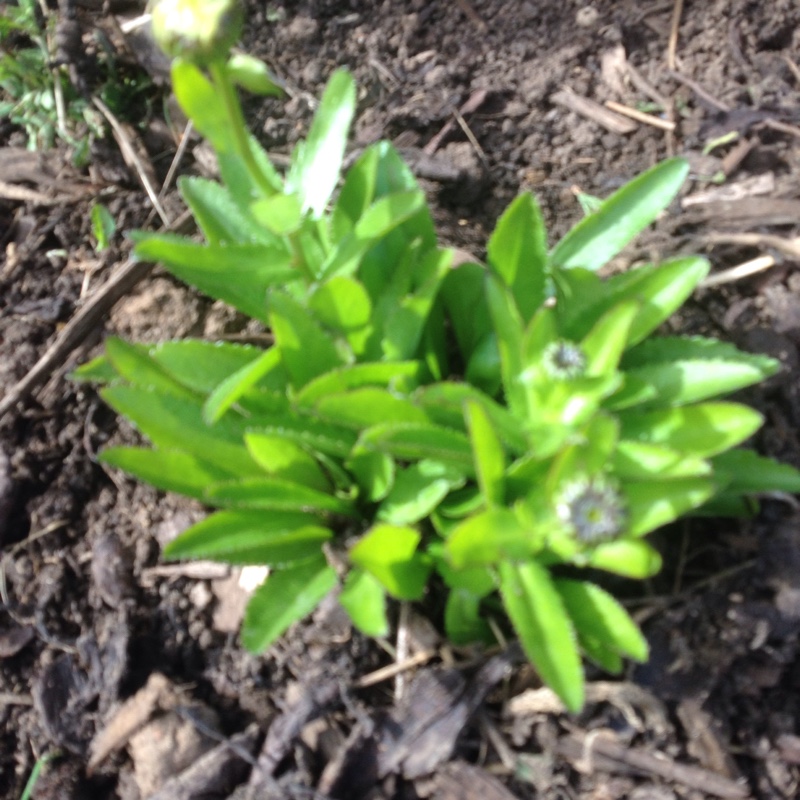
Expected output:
(238, 274)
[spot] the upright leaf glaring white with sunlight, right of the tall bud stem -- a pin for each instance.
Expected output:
(316, 161)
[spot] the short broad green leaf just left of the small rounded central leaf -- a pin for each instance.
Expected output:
(306, 350)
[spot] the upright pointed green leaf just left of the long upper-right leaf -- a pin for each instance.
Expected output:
(517, 253)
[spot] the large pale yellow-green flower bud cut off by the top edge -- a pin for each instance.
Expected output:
(197, 30)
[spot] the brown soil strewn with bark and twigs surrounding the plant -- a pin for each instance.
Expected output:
(131, 673)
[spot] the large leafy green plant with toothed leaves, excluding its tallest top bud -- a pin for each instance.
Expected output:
(502, 427)
